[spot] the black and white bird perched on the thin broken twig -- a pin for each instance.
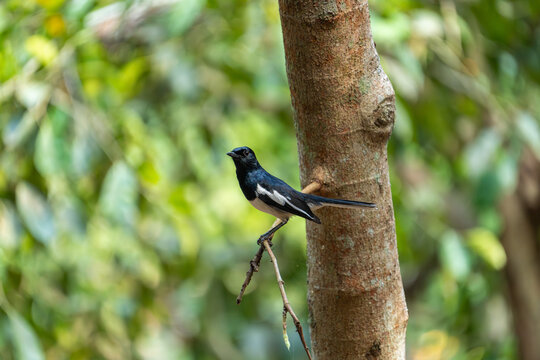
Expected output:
(271, 195)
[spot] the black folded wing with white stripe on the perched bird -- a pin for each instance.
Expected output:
(276, 193)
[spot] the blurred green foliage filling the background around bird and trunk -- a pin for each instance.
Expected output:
(123, 233)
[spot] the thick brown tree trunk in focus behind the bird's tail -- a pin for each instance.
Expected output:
(344, 108)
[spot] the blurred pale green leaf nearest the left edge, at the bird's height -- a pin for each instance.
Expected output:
(36, 213)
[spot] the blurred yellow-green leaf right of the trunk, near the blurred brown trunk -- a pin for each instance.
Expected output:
(487, 246)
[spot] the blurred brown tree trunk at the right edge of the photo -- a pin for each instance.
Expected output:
(521, 214)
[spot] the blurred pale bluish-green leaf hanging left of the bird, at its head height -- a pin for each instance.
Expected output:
(118, 198)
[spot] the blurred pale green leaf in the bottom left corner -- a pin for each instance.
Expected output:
(26, 341)
